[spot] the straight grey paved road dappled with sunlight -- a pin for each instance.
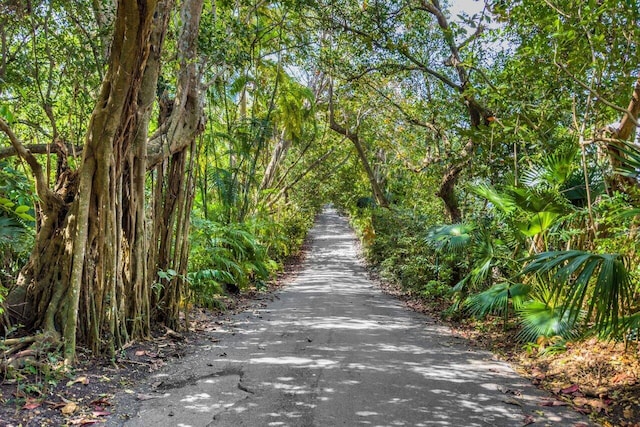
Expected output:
(332, 350)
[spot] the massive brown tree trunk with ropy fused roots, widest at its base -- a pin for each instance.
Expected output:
(76, 288)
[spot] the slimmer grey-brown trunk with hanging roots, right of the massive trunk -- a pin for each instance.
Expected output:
(174, 189)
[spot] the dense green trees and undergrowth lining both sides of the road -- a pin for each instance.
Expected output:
(155, 155)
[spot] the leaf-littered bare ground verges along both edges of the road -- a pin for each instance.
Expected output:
(601, 379)
